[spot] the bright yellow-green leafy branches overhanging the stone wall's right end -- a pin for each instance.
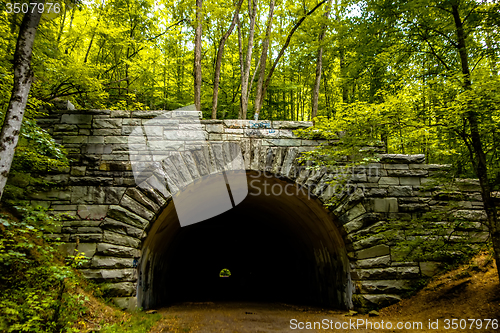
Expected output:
(397, 125)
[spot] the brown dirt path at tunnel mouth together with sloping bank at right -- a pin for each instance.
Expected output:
(468, 293)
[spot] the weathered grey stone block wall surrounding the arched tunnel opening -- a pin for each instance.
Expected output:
(110, 217)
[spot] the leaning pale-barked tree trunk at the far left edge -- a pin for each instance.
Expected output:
(22, 83)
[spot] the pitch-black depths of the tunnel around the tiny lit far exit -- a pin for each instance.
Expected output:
(265, 262)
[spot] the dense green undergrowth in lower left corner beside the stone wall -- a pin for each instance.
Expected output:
(36, 287)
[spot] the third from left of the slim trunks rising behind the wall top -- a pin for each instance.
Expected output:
(247, 63)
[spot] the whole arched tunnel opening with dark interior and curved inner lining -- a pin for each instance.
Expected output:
(280, 244)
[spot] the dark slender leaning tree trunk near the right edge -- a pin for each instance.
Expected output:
(479, 156)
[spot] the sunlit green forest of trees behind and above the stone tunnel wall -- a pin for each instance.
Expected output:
(413, 77)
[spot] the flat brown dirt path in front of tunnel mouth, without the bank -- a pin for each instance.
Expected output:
(265, 317)
